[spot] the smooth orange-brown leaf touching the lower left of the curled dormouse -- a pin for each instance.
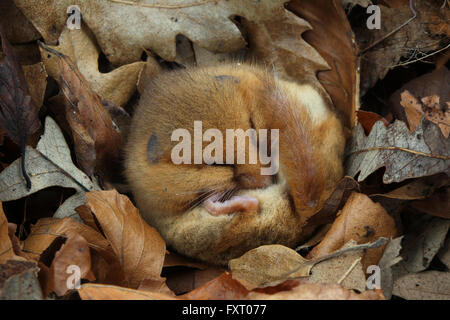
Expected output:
(139, 247)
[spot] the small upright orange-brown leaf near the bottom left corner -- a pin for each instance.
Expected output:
(74, 252)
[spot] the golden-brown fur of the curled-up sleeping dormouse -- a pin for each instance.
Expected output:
(170, 196)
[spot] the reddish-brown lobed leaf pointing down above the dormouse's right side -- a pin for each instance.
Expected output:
(335, 42)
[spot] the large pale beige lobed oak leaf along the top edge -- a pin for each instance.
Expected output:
(126, 27)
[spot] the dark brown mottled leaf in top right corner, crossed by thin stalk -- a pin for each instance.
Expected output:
(376, 62)
